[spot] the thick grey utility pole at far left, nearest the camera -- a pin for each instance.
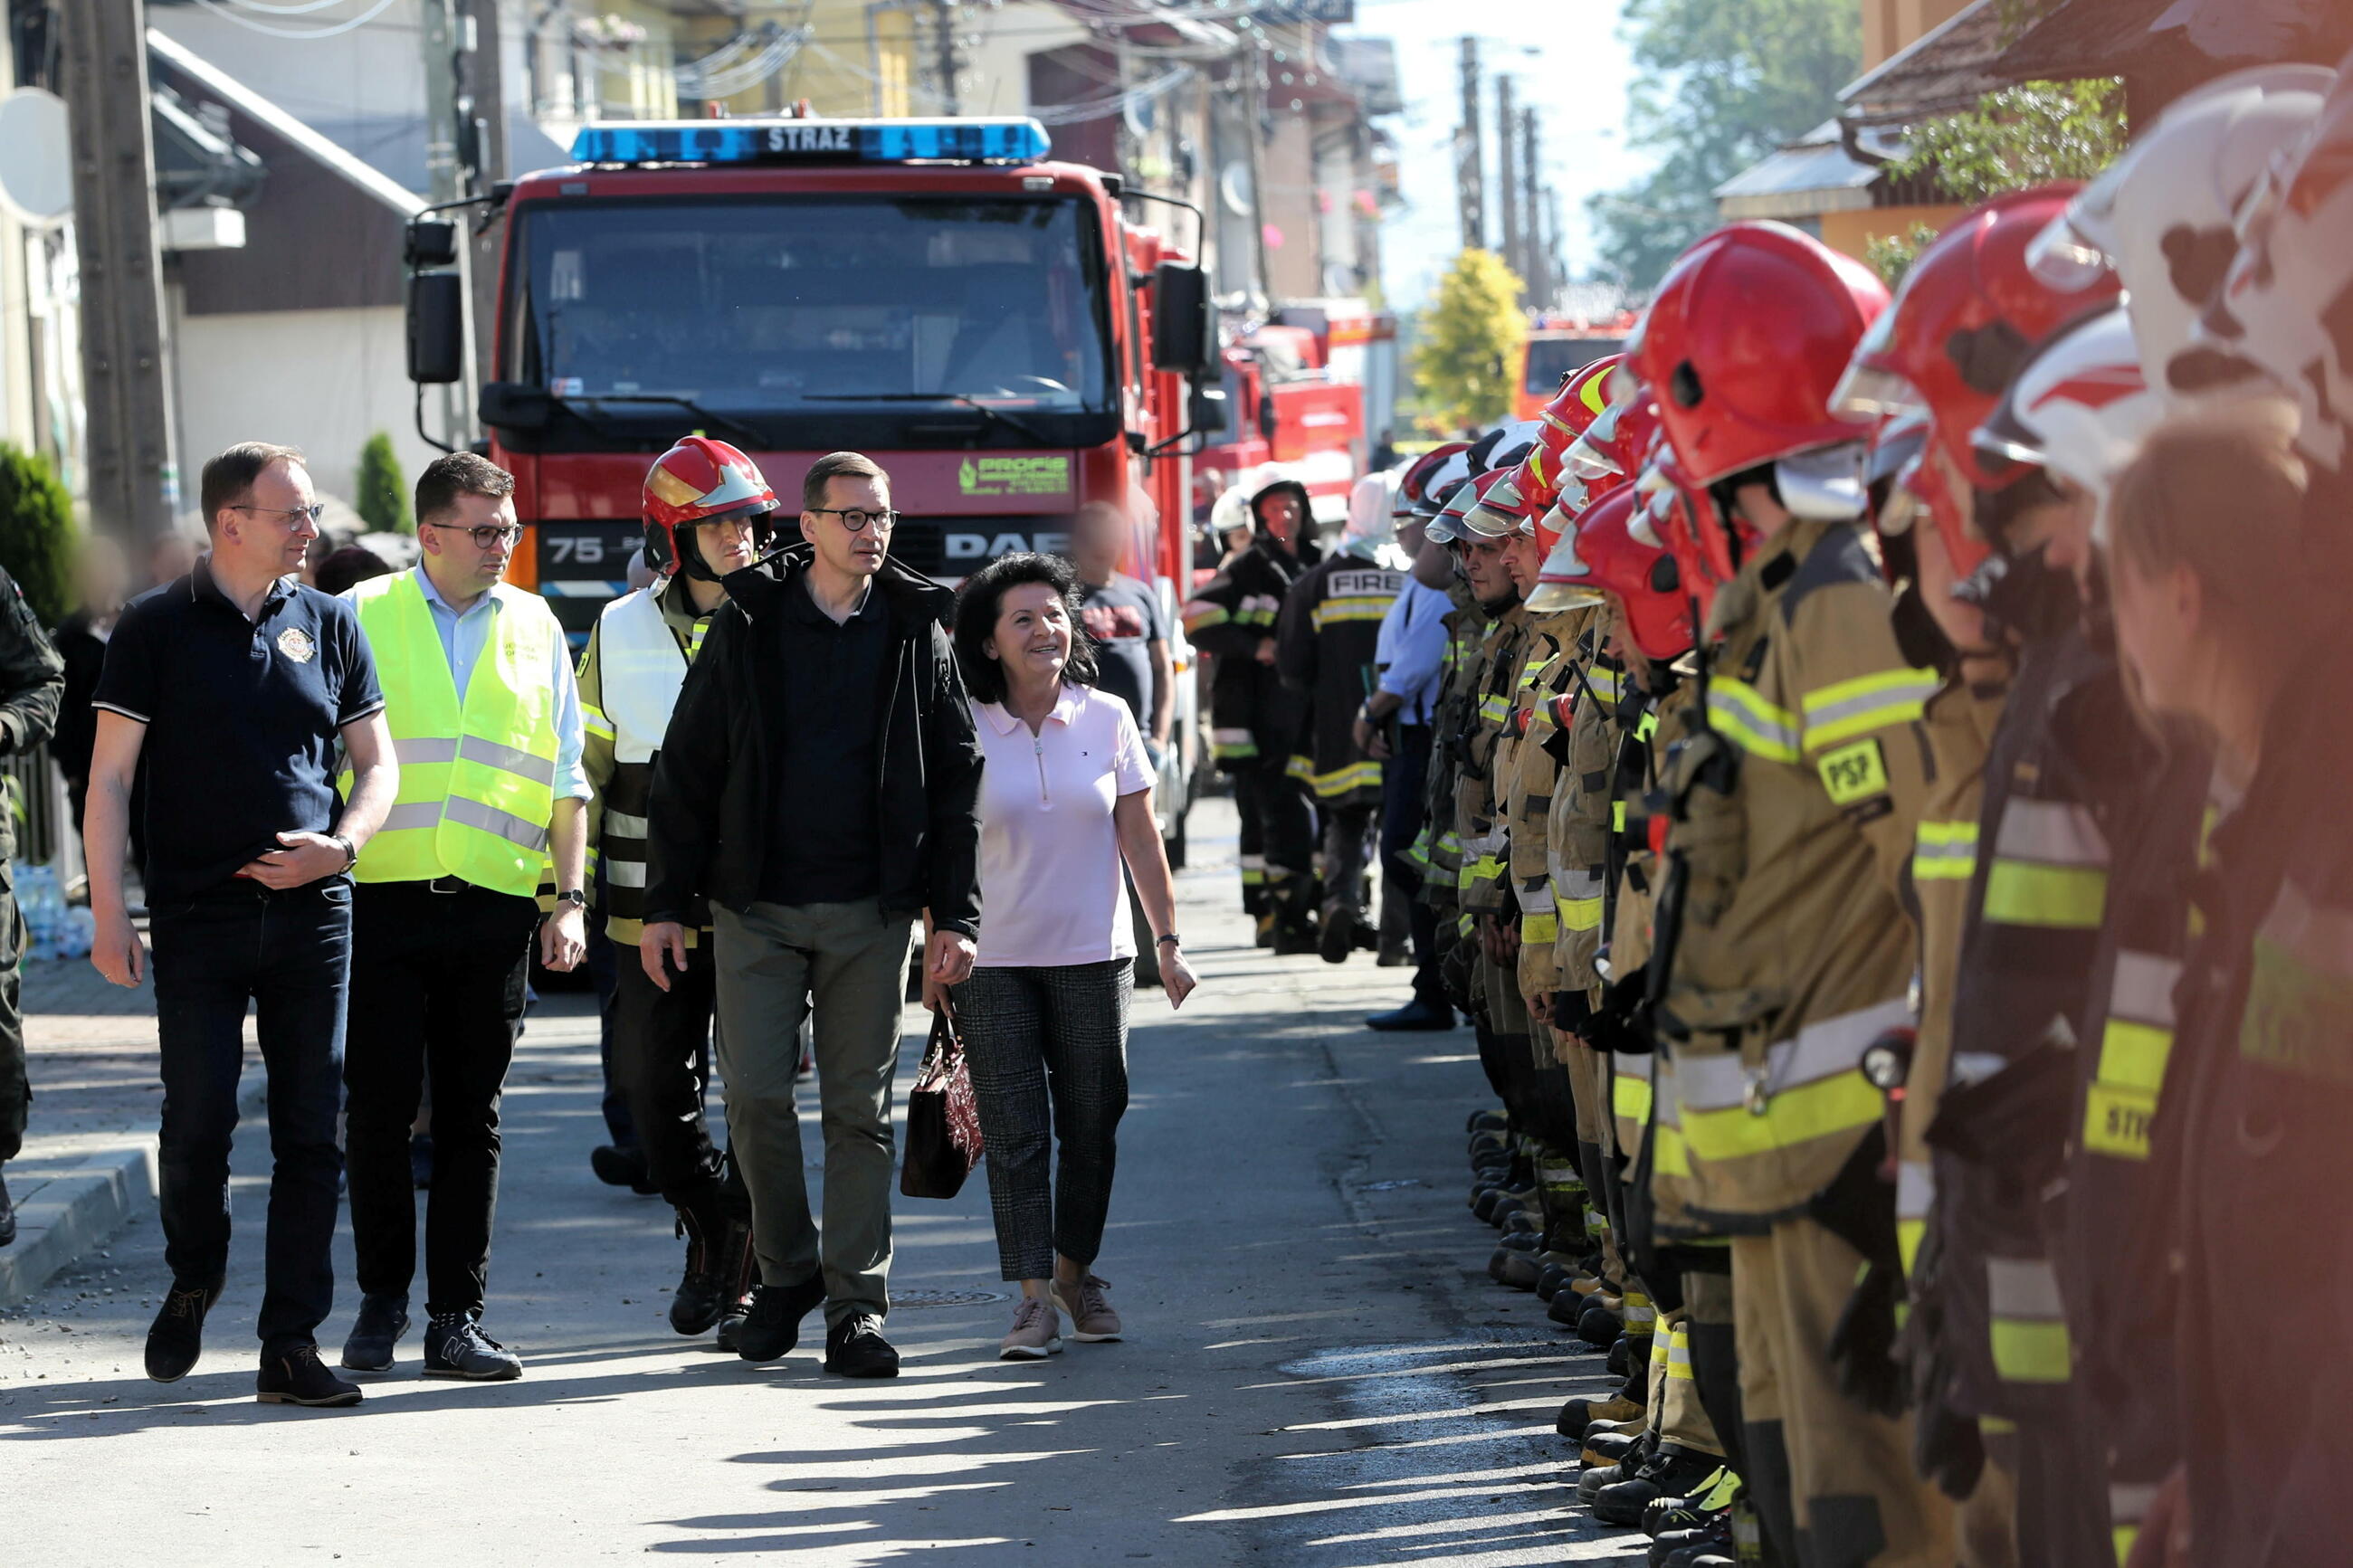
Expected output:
(133, 483)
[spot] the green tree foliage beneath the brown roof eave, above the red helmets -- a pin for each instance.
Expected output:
(2020, 138)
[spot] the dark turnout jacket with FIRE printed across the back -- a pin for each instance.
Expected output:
(1326, 652)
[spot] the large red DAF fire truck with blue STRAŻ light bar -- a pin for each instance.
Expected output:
(985, 323)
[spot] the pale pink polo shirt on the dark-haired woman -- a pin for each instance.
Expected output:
(1051, 855)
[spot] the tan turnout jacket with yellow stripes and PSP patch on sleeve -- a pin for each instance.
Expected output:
(1792, 953)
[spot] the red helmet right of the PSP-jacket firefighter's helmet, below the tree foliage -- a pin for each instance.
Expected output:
(1966, 321)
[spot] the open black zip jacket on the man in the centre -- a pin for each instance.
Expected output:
(716, 777)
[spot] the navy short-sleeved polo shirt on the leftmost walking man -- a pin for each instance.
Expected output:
(241, 721)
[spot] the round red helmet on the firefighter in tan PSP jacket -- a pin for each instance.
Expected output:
(1745, 342)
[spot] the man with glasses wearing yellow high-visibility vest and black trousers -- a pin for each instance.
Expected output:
(488, 728)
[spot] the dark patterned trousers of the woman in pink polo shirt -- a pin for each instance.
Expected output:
(1048, 1057)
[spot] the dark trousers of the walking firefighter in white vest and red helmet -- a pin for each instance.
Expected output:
(662, 1066)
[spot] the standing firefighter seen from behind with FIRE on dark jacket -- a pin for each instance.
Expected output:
(1326, 652)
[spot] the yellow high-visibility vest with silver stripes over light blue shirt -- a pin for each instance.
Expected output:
(476, 777)
